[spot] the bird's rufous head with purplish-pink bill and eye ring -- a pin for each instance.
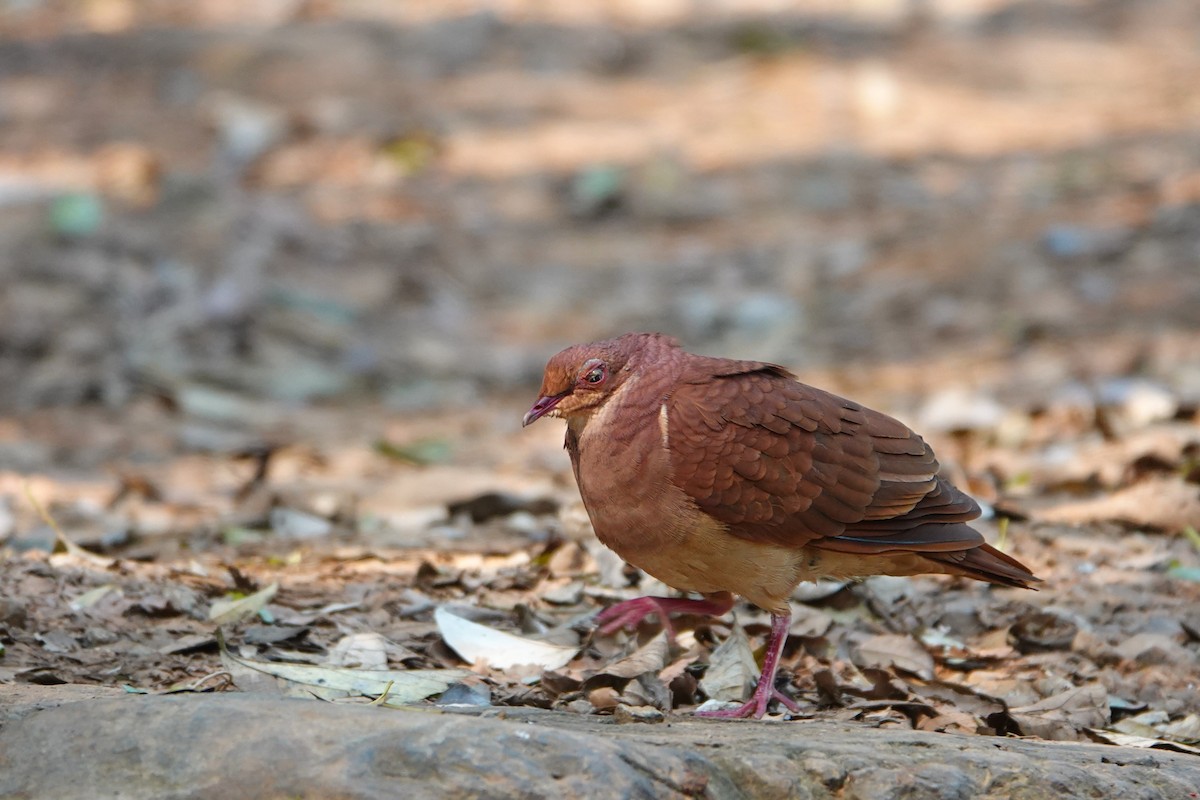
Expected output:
(580, 380)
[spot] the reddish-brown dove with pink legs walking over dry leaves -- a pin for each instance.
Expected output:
(725, 478)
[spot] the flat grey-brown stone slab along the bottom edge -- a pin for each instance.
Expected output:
(242, 745)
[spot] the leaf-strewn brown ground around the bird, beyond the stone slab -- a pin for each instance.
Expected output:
(277, 286)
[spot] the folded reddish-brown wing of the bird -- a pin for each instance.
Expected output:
(783, 462)
